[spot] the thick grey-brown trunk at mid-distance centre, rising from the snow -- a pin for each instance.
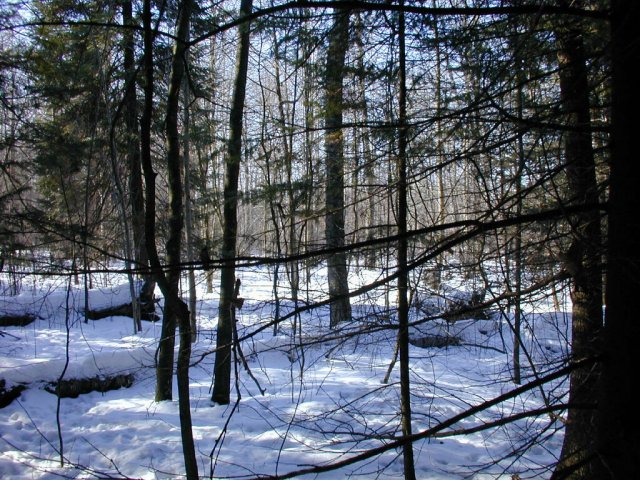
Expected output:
(340, 309)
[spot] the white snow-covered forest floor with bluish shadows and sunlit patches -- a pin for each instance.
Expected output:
(323, 402)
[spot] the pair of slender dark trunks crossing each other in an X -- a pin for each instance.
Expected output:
(174, 306)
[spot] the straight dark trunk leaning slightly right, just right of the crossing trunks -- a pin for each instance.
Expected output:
(222, 369)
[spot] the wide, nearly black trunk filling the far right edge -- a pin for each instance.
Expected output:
(618, 425)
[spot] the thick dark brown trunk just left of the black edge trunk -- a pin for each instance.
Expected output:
(582, 261)
